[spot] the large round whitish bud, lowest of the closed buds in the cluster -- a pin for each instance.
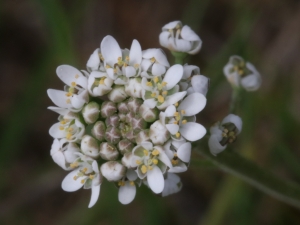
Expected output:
(113, 171)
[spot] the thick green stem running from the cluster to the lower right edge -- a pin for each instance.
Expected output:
(256, 176)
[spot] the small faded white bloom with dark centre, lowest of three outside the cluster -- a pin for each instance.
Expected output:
(224, 133)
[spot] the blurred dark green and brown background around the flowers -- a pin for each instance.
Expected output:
(38, 35)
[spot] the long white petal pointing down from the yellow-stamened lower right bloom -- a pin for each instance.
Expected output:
(155, 180)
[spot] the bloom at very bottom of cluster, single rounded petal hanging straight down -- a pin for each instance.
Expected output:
(127, 189)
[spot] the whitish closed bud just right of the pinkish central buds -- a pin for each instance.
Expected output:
(158, 133)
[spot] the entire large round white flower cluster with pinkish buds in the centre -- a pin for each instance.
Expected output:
(129, 119)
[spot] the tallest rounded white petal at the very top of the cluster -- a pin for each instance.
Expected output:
(110, 50)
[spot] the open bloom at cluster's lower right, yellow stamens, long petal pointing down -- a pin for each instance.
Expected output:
(151, 162)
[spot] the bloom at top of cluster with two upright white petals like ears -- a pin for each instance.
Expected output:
(121, 63)
